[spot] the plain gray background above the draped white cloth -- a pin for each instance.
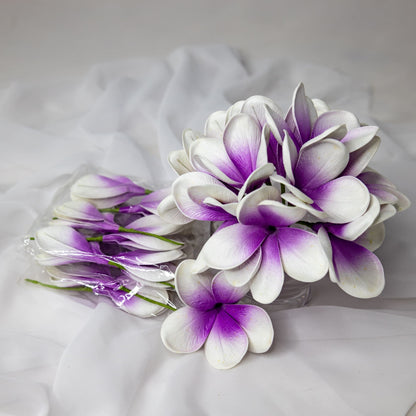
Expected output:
(371, 40)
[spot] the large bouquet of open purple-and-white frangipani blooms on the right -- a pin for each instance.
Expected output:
(294, 195)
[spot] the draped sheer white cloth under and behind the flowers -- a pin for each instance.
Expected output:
(62, 356)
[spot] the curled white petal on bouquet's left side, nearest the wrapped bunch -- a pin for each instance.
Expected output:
(189, 201)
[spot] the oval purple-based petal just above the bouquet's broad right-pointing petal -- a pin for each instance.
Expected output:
(320, 163)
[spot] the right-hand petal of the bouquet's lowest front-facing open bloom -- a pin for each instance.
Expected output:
(302, 255)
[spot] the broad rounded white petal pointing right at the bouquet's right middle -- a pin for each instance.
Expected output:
(344, 199)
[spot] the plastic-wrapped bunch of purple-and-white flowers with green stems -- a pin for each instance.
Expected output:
(109, 240)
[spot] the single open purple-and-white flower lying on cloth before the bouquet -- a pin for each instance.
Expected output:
(213, 318)
